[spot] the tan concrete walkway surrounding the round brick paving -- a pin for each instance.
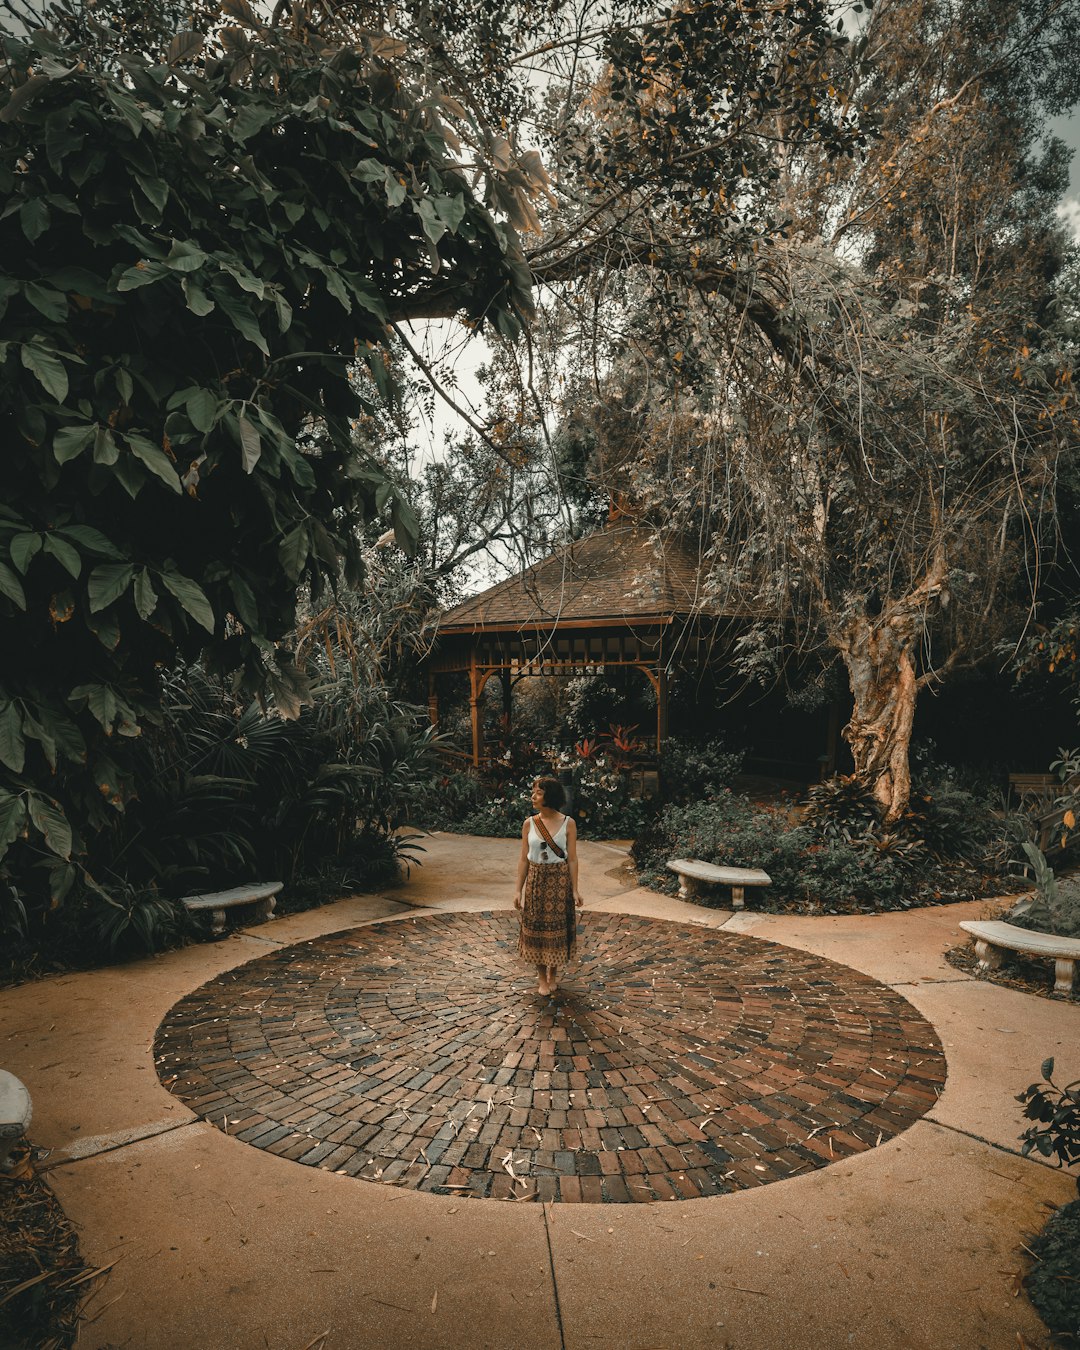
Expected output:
(223, 1247)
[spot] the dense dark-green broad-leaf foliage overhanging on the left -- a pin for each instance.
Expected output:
(198, 250)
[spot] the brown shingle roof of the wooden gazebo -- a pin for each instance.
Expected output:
(623, 573)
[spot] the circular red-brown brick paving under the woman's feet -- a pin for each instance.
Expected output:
(677, 1062)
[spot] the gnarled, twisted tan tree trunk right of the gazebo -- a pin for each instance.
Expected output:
(878, 654)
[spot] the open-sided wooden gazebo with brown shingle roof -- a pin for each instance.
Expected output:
(623, 597)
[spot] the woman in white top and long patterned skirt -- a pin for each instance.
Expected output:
(547, 885)
